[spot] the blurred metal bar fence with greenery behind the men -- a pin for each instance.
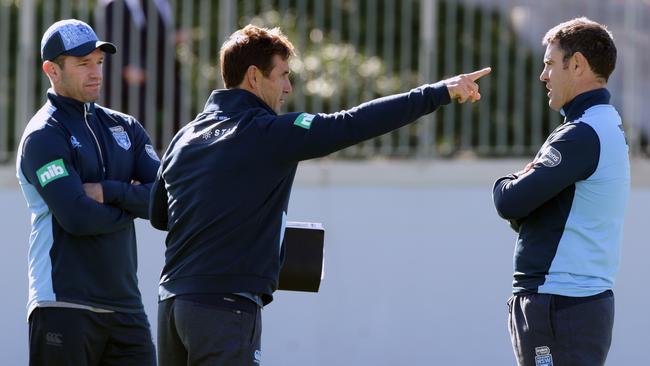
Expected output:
(349, 52)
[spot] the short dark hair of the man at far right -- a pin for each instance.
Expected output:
(591, 39)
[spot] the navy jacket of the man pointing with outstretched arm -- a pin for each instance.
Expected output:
(224, 184)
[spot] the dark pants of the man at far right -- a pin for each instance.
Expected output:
(553, 330)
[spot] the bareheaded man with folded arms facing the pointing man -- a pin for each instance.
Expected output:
(568, 206)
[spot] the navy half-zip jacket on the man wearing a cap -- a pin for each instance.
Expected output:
(81, 251)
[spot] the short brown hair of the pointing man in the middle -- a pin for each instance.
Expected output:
(252, 45)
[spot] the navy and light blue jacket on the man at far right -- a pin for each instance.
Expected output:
(569, 209)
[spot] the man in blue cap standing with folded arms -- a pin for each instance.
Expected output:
(85, 172)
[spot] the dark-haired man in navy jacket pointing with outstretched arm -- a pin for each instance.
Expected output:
(223, 191)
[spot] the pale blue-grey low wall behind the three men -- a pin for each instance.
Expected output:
(418, 269)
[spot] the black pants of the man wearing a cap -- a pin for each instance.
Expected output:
(64, 336)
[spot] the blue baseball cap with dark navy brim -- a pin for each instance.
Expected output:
(71, 37)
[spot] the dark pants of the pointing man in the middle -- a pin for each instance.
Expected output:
(197, 334)
